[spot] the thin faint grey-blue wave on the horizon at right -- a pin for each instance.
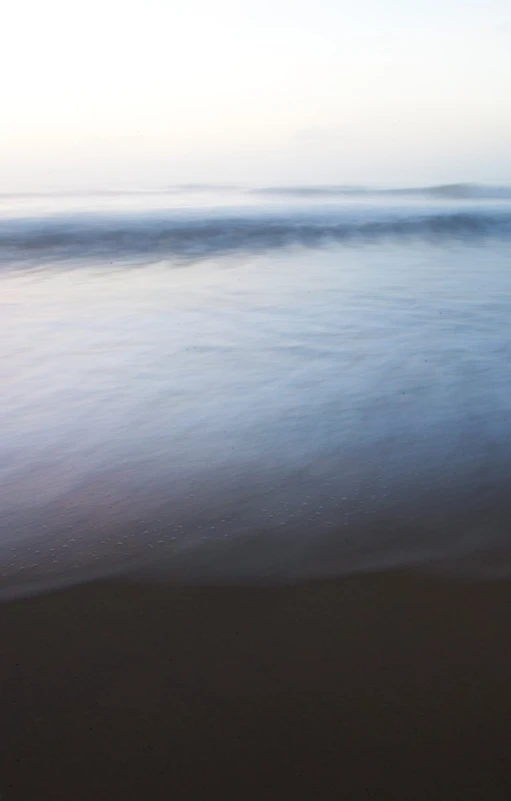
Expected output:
(448, 191)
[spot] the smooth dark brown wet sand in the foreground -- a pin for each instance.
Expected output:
(381, 686)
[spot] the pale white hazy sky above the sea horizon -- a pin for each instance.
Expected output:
(147, 93)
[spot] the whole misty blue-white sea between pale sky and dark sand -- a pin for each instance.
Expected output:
(240, 385)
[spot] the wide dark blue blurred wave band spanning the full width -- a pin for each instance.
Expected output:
(181, 235)
